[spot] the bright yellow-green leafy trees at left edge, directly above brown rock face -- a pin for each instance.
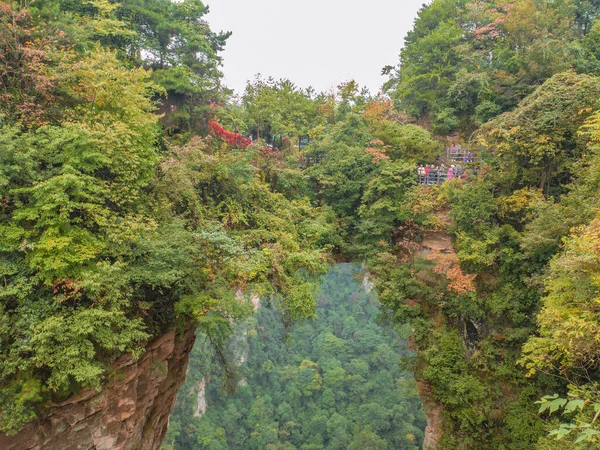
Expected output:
(74, 211)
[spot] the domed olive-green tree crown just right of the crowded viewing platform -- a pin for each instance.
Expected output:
(538, 143)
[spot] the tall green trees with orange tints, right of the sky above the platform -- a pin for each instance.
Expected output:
(463, 63)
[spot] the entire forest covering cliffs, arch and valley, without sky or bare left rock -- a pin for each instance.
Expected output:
(139, 195)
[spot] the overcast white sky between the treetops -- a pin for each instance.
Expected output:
(317, 43)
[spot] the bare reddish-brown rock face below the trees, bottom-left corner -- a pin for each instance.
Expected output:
(131, 412)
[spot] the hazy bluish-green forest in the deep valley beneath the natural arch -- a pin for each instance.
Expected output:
(333, 382)
